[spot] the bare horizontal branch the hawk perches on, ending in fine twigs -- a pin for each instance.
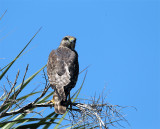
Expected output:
(96, 112)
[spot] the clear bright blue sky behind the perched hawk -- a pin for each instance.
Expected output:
(119, 39)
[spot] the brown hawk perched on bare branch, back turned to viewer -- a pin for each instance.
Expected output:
(62, 71)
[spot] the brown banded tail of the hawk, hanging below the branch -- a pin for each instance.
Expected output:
(58, 107)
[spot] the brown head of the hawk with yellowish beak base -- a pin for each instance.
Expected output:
(68, 41)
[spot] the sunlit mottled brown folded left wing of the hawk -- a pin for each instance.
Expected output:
(57, 69)
